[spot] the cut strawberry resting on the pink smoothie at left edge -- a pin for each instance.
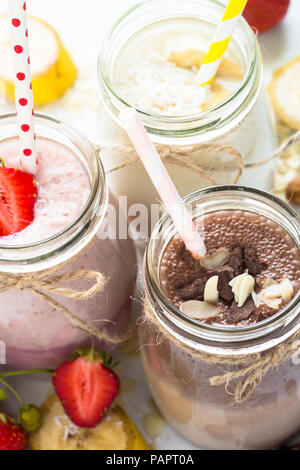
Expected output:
(18, 193)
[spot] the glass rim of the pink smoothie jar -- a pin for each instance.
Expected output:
(98, 189)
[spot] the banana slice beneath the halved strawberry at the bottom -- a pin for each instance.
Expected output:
(115, 432)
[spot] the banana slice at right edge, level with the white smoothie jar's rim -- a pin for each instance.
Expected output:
(284, 91)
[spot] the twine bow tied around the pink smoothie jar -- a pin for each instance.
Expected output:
(48, 281)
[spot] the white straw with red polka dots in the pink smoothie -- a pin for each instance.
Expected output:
(23, 85)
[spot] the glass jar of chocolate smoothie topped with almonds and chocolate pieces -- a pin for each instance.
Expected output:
(250, 273)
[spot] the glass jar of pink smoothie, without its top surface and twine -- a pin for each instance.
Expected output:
(34, 332)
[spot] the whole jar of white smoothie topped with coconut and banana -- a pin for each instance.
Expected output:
(150, 61)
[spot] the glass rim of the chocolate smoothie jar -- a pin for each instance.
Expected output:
(212, 334)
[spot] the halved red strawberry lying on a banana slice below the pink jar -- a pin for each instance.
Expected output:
(86, 388)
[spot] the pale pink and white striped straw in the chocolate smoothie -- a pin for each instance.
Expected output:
(162, 182)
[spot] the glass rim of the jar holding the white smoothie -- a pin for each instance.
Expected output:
(208, 117)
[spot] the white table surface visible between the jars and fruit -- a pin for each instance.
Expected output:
(81, 25)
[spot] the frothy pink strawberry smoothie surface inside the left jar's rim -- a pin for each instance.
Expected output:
(59, 198)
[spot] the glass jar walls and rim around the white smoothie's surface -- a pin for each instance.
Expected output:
(244, 121)
